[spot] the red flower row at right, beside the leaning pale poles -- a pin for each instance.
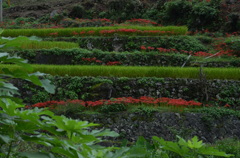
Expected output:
(200, 53)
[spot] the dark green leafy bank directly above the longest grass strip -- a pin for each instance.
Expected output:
(98, 57)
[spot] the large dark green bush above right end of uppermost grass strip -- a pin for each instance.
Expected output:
(196, 15)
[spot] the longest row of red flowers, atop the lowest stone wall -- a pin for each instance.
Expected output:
(124, 100)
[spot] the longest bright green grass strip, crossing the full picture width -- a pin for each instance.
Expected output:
(135, 71)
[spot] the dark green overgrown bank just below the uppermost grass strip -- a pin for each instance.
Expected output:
(126, 43)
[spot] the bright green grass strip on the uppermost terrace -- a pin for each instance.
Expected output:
(66, 32)
